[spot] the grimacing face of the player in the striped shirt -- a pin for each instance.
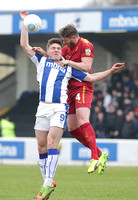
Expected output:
(54, 52)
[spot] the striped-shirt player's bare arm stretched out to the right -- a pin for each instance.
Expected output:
(102, 75)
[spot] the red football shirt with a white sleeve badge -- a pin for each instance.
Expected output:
(82, 49)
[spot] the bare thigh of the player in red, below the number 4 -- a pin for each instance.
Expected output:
(82, 115)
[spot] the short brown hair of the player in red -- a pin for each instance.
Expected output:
(68, 31)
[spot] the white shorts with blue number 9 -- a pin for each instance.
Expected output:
(48, 115)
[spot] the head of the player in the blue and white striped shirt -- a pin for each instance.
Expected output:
(54, 49)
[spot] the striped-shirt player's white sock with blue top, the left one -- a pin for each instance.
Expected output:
(42, 164)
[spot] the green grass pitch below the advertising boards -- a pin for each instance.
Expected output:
(73, 183)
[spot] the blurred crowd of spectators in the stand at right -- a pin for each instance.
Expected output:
(114, 111)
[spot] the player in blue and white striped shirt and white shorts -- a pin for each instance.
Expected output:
(52, 110)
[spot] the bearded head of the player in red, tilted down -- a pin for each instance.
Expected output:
(69, 35)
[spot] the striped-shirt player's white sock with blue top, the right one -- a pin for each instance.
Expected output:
(51, 166)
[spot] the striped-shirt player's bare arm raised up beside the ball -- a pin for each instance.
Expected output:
(24, 39)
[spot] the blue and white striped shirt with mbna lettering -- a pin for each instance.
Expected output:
(53, 79)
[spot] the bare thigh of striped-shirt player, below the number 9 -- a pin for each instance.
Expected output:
(54, 136)
